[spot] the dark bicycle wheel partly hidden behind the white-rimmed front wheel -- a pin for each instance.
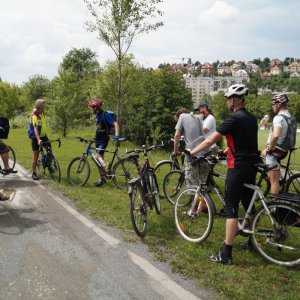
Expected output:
(173, 183)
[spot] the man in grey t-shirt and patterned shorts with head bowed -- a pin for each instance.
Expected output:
(191, 127)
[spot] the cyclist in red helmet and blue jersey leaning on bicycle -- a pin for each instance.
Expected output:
(104, 122)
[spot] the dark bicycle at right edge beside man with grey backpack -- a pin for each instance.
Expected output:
(289, 182)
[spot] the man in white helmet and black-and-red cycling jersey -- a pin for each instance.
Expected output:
(240, 129)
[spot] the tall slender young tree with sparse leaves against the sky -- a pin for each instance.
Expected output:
(118, 22)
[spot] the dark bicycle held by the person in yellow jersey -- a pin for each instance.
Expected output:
(48, 161)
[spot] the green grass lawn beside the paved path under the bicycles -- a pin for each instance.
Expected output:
(250, 277)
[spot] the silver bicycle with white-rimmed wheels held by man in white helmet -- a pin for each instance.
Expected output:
(273, 228)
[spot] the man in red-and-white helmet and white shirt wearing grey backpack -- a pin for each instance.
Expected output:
(275, 151)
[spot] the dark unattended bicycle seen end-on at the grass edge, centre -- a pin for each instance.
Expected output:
(143, 193)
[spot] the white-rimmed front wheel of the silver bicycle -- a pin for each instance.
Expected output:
(194, 228)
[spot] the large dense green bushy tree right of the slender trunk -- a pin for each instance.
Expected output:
(150, 117)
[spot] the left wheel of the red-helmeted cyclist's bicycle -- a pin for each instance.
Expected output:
(78, 172)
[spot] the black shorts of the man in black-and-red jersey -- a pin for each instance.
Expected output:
(235, 190)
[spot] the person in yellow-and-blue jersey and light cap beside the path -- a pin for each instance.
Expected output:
(37, 132)
